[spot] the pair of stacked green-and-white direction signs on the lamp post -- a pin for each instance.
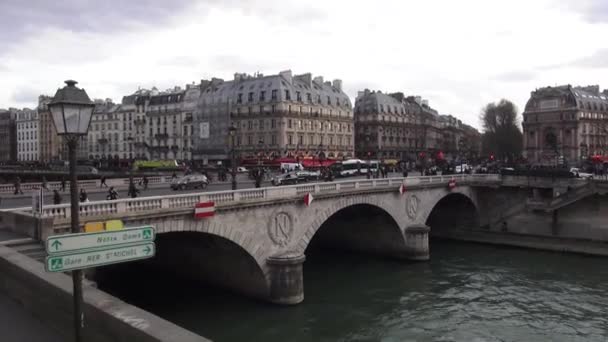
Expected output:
(84, 250)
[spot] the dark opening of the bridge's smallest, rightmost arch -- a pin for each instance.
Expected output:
(454, 210)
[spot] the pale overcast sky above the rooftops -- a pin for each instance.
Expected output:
(459, 55)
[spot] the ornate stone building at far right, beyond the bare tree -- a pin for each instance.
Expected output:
(565, 121)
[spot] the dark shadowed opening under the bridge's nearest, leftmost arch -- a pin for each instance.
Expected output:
(187, 257)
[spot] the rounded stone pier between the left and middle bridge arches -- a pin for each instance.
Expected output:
(286, 278)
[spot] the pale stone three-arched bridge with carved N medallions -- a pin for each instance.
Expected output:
(256, 242)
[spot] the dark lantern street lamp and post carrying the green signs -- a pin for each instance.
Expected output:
(71, 110)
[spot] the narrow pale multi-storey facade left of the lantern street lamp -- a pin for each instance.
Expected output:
(28, 134)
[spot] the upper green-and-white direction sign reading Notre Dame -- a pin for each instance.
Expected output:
(86, 241)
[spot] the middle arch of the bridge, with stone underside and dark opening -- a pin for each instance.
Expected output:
(360, 234)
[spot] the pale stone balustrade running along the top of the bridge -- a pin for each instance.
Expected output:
(228, 197)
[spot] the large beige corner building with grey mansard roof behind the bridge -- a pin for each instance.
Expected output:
(274, 116)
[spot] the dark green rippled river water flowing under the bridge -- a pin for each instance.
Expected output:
(466, 292)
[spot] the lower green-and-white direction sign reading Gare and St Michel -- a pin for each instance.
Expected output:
(99, 257)
